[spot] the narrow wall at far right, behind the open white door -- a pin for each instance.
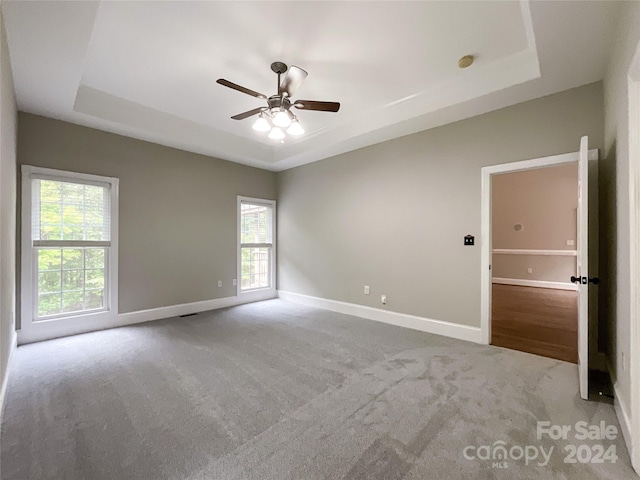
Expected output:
(615, 210)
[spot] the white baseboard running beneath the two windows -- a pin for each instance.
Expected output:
(50, 330)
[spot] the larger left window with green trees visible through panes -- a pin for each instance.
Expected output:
(68, 243)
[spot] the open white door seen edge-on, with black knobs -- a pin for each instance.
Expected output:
(582, 277)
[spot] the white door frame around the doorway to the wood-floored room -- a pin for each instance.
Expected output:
(485, 223)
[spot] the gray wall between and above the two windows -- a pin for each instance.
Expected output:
(177, 209)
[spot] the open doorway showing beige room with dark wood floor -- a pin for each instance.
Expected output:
(534, 306)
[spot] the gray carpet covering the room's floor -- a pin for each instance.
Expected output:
(277, 391)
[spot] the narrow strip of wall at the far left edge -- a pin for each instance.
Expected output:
(8, 119)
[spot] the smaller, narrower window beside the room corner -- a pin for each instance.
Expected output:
(256, 252)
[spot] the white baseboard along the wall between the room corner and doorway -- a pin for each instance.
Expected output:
(438, 327)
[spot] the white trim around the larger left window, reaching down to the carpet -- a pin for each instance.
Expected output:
(61, 325)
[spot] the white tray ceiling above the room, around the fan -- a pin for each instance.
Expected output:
(148, 69)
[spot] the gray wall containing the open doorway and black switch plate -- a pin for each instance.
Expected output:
(393, 215)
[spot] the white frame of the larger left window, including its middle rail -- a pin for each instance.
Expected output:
(29, 251)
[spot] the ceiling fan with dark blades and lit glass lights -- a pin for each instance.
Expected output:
(277, 114)
